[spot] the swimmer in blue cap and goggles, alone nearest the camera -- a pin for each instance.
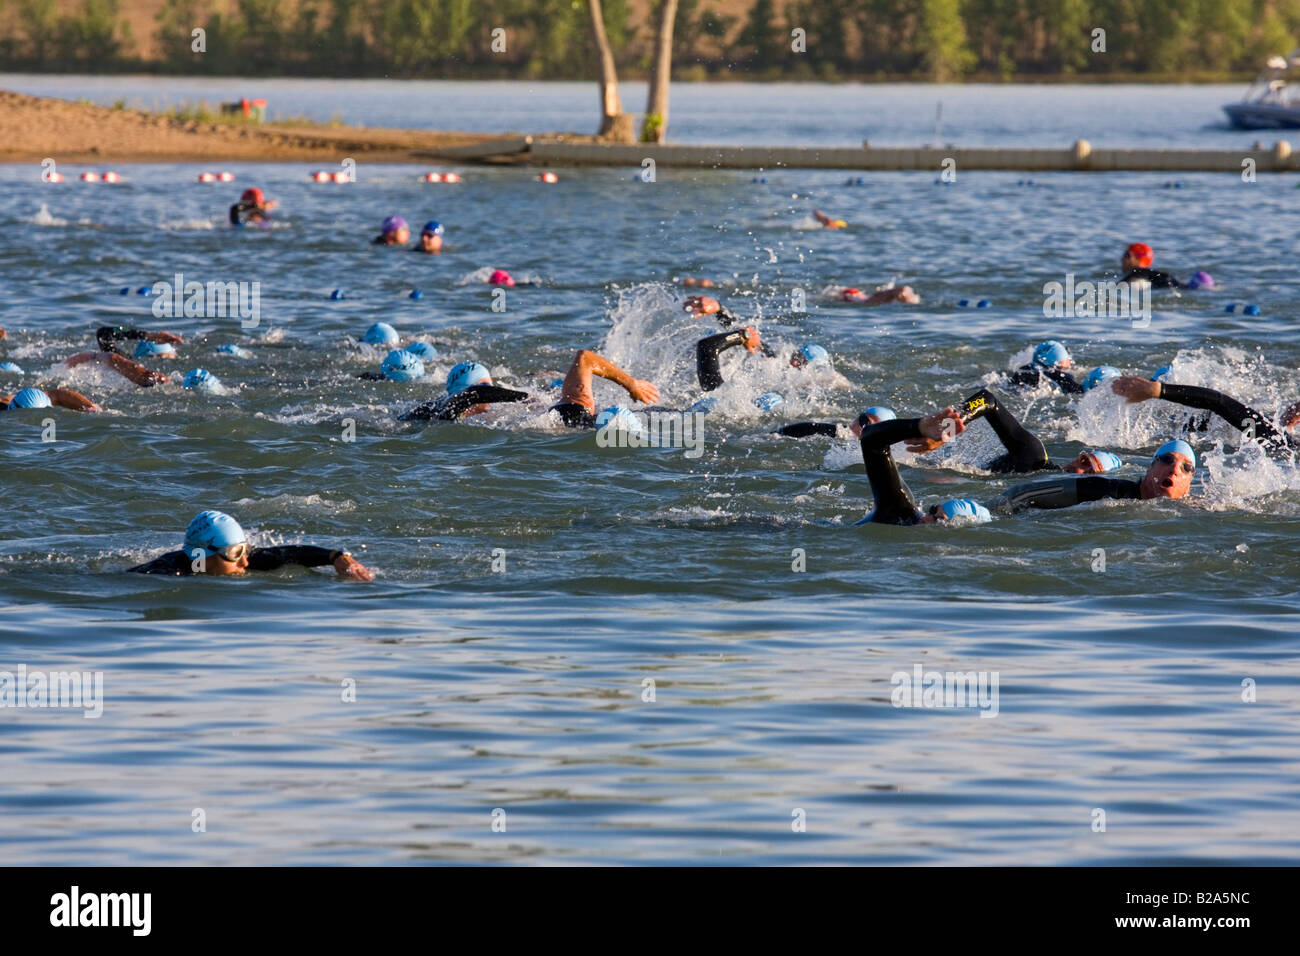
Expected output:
(215, 544)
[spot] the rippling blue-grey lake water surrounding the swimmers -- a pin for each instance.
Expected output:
(523, 690)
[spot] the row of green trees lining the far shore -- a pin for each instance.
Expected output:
(549, 40)
